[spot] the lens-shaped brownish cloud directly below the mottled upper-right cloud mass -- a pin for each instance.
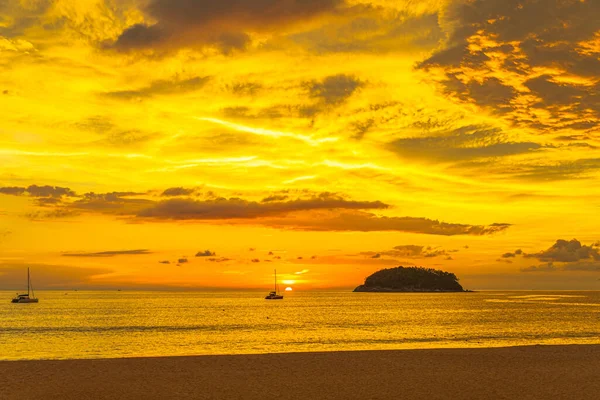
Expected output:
(468, 142)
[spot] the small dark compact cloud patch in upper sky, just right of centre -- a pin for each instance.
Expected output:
(335, 89)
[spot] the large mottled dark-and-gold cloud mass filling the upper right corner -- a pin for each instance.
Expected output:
(540, 60)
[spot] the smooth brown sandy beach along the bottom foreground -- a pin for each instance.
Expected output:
(531, 372)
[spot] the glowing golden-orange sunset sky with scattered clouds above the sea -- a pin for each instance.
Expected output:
(202, 144)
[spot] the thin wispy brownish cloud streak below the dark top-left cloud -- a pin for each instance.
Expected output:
(162, 87)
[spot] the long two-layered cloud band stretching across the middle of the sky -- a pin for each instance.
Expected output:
(321, 212)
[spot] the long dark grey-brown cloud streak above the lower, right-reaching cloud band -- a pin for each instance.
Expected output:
(237, 208)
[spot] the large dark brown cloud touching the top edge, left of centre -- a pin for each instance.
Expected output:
(226, 24)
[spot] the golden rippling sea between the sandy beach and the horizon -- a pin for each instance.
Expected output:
(102, 324)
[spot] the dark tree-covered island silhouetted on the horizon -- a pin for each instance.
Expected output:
(411, 279)
